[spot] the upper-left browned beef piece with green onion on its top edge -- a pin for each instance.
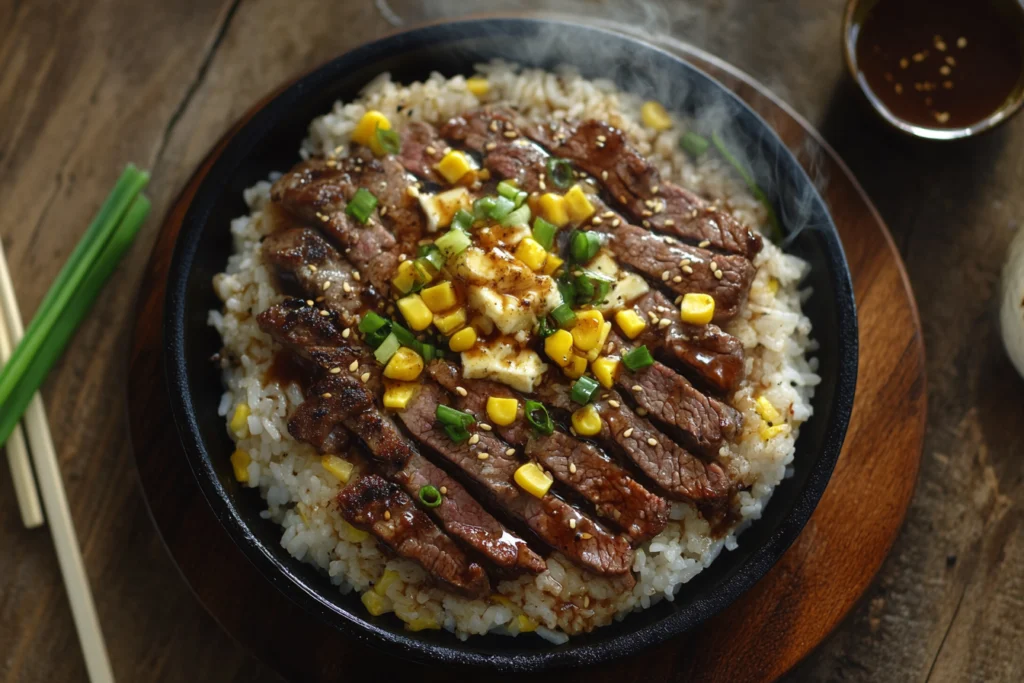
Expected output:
(318, 192)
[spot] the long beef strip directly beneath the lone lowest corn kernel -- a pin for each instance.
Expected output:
(585, 542)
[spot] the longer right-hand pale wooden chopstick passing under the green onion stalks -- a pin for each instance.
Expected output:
(62, 527)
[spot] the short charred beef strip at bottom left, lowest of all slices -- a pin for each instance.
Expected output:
(380, 507)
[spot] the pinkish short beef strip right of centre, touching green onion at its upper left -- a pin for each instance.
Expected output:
(670, 399)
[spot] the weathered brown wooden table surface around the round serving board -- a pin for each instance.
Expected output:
(87, 88)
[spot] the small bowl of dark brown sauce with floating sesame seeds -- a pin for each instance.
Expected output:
(944, 66)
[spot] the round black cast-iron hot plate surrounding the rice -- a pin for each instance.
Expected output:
(269, 142)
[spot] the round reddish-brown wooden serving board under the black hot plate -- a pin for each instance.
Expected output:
(763, 634)
